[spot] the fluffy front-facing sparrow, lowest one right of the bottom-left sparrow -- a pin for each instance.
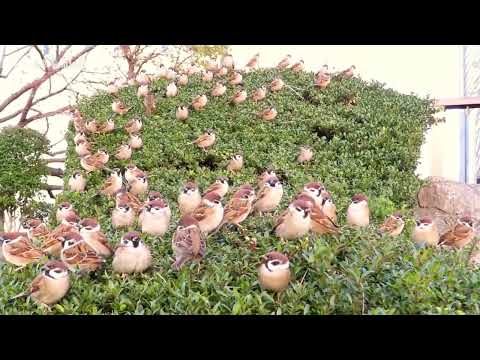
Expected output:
(131, 255)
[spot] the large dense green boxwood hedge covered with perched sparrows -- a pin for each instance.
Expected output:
(371, 146)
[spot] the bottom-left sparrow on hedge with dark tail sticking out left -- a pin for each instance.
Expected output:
(50, 286)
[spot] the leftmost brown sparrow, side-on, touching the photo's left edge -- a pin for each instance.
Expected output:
(18, 250)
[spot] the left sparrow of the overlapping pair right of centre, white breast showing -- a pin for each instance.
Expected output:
(294, 222)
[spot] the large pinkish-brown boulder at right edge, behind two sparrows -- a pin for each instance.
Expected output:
(445, 201)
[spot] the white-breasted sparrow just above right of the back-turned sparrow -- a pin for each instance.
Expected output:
(210, 212)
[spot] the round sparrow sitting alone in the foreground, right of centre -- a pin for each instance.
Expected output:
(274, 272)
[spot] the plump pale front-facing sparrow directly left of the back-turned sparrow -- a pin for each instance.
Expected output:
(155, 218)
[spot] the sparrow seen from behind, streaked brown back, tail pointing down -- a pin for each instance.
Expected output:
(188, 242)
